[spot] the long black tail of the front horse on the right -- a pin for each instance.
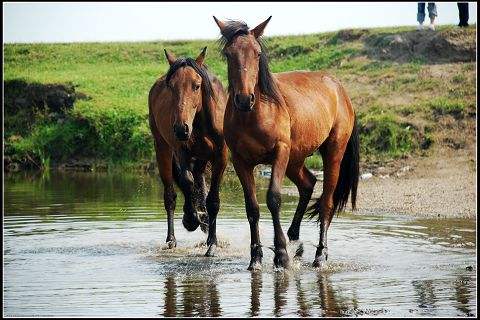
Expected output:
(347, 180)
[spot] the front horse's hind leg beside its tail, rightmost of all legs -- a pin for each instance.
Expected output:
(332, 155)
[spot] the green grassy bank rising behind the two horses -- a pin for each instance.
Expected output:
(402, 104)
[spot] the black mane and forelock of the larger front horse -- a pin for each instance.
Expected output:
(268, 88)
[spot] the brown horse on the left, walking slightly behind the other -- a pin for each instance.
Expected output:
(186, 109)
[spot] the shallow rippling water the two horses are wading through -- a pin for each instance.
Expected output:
(83, 244)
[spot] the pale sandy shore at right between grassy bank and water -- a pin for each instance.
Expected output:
(443, 185)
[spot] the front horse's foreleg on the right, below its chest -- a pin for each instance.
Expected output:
(274, 201)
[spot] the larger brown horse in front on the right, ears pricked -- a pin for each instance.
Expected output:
(280, 119)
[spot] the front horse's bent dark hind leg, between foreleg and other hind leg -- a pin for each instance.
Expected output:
(305, 181)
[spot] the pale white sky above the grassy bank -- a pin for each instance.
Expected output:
(110, 21)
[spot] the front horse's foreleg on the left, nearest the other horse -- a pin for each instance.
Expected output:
(245, 175)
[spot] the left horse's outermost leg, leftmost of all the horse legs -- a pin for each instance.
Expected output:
(164, 162)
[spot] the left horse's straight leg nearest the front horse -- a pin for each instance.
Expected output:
(213, 198)
